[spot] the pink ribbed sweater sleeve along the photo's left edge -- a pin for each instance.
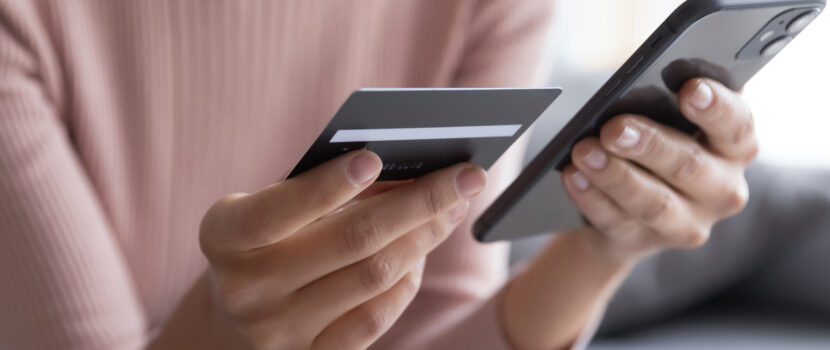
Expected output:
(64, 283)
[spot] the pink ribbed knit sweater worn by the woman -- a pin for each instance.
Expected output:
(122, 121)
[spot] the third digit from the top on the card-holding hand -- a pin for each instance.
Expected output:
(325, 299)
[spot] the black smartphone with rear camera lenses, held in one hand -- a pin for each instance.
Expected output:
(725, 40)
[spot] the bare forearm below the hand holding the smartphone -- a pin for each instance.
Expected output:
(549, 304)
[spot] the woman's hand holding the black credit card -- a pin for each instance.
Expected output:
(293, 267)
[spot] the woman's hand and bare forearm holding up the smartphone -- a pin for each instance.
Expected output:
(644, 187)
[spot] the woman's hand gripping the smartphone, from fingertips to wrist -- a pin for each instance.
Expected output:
(645, 187)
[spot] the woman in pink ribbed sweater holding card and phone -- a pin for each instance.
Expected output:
(122, 122)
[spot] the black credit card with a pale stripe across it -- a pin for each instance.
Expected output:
(417, 131)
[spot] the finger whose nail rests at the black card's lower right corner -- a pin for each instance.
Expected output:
(366, 227)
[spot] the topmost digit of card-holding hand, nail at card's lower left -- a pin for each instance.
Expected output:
(265, 217)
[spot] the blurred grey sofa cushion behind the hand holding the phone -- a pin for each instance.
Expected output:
(775, 252)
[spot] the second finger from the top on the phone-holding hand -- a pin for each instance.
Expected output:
(671, 155)
